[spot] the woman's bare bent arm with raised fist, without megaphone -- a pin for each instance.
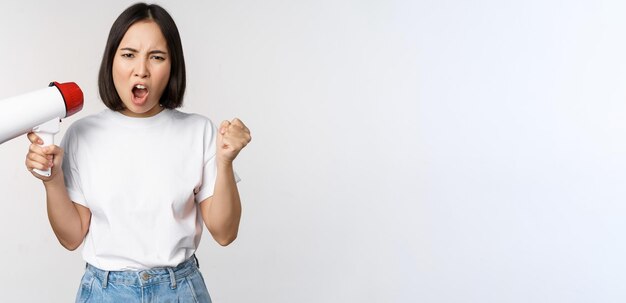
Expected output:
(222, 211)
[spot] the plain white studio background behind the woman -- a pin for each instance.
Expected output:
(403, 151)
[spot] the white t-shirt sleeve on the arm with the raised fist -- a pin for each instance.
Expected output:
(209, 169)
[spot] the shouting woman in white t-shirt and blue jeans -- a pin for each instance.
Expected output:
(136, 181)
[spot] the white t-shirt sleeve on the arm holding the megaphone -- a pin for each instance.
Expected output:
(70, 167)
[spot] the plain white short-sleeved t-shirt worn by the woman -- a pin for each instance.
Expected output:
(142, 179)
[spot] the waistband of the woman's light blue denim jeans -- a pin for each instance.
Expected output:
(146, 277)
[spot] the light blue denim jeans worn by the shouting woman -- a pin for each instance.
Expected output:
(183, 283)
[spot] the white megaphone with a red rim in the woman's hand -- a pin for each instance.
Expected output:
(39, 111)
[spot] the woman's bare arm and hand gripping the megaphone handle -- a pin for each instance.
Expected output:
(69, 221)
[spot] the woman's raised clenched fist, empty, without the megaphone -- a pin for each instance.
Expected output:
(232, 137)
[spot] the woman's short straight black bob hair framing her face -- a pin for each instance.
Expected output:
(172, 96)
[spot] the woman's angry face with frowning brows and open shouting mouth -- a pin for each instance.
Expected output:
(141, 69)
